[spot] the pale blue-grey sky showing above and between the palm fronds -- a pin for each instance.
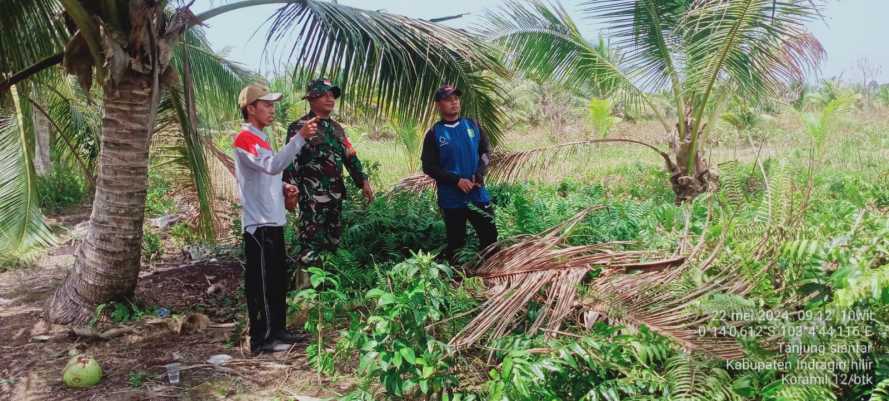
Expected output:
(851, 30)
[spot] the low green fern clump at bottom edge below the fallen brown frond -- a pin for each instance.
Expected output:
(607, 364)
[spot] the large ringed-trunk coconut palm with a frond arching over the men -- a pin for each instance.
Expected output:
(125, 51)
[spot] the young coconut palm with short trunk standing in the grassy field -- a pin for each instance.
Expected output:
(695, 50)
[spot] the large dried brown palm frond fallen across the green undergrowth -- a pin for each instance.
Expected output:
(631, 289)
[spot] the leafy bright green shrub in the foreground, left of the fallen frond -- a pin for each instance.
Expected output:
(398, 347)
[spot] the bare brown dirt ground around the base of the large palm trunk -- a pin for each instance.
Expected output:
(33, 353)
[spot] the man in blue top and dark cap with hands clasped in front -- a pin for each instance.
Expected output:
(456, 153)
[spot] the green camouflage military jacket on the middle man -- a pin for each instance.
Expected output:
(318, 171)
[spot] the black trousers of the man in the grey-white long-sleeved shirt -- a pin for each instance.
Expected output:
(265, 281)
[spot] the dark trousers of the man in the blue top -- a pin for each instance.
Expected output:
(455, 226)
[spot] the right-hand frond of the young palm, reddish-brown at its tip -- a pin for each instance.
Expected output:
(758, 45)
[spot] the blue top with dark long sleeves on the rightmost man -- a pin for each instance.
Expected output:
(453, 150)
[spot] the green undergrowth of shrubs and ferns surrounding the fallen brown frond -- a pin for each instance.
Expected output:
(383, 307)
